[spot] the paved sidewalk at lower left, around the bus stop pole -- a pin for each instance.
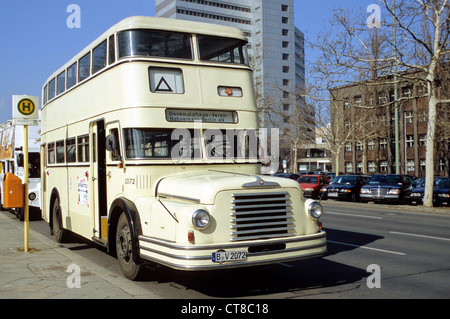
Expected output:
(42, 272)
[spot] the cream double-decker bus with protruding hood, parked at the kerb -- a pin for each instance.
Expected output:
(137, 132)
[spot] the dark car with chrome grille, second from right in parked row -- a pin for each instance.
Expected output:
(386, 188)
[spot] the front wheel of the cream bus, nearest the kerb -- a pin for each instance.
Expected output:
(124, 249)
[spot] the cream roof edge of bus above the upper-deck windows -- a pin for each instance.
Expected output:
(156, 23)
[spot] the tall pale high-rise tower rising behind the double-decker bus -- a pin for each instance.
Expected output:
(276, 46)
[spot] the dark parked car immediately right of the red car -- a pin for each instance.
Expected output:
(345, 187)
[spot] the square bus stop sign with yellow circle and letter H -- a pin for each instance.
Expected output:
(26, 109)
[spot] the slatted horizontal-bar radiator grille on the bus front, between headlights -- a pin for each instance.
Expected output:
(261, 216)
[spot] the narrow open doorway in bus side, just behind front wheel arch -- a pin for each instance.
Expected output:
(98, 177)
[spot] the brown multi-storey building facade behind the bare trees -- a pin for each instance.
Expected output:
(366, 112)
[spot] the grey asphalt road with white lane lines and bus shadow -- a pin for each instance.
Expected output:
(374, 252)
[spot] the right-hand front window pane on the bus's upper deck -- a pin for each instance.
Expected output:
(226, 50)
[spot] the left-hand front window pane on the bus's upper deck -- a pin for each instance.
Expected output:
(153, 43)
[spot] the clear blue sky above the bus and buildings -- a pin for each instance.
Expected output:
(35, 38)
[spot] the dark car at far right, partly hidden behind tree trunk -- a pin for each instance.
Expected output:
(441, 192)
